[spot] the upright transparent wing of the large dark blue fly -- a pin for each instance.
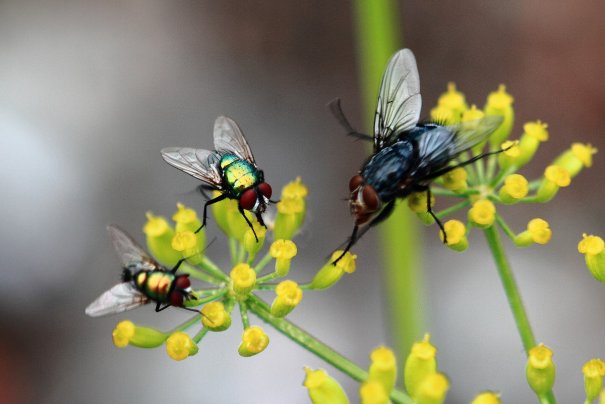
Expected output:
(399, 100)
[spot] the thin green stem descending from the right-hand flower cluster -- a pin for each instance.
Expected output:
(513, 296)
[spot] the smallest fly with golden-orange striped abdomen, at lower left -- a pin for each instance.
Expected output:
(144, 280)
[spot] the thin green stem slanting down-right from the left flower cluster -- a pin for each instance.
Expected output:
(313, 345)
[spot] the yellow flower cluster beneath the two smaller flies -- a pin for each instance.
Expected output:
(236, 287)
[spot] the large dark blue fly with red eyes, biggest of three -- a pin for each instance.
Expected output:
(408, 155)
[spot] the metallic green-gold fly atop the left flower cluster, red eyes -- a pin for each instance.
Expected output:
(230, 169)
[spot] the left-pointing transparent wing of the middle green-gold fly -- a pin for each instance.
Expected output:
(199, 163)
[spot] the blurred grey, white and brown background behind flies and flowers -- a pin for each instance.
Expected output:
(91, 91)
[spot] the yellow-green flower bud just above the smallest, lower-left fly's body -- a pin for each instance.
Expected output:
(159, 240)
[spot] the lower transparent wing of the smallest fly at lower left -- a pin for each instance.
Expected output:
(119, 298)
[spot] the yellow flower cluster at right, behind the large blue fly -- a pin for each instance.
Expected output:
(495, 179)
